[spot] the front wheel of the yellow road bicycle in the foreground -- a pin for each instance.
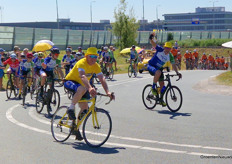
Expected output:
(96, 136)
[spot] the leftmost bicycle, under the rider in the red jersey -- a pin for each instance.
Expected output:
(10, 87)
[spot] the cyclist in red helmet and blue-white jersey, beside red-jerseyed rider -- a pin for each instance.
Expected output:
(26, 67)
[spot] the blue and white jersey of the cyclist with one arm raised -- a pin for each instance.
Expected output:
(159, 58)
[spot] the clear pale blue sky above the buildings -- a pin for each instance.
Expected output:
(79, 10)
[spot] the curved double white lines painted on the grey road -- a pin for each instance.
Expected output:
(10, 118)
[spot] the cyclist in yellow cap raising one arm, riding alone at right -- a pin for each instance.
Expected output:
(155, 65)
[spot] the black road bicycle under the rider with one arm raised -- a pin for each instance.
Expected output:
(173, 95)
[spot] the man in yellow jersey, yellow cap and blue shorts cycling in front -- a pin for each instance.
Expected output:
(78, 79)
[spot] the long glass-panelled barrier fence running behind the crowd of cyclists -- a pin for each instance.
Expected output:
(27, 37)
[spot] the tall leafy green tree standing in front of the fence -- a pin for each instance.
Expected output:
(125, 27)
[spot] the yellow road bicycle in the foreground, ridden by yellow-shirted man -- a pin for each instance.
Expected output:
(96, 128)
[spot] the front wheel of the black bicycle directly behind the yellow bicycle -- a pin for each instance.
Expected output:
(55, 102)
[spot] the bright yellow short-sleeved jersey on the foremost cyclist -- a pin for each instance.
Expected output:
(82, 65)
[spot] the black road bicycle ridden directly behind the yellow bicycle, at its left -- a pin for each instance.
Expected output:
(50, 97)
